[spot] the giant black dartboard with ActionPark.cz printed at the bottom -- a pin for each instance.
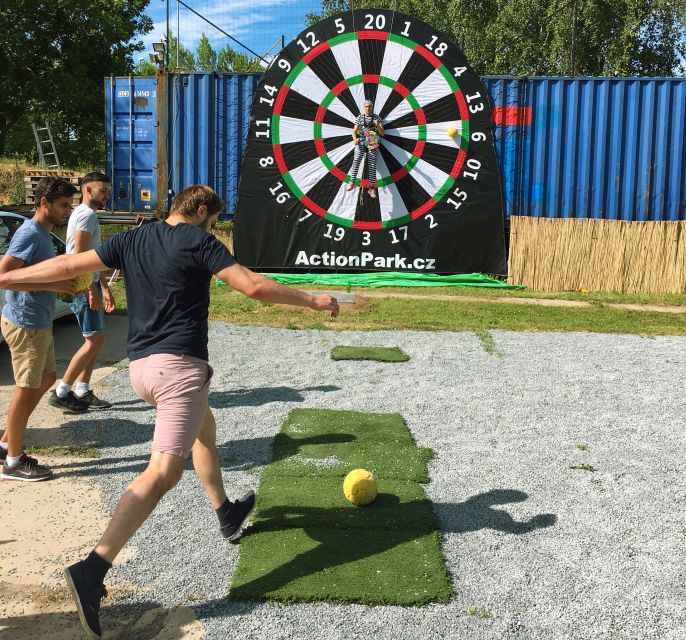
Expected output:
(439, 206)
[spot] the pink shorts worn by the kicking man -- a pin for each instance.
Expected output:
(178, 386)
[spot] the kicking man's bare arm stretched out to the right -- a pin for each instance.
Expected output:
(259, 287)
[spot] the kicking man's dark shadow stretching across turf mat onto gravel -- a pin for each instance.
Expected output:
(340, 530)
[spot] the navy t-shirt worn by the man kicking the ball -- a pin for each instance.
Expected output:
(167, 276)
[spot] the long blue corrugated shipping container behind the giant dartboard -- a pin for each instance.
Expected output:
(610, 148)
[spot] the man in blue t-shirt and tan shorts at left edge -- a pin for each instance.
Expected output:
(27, 325)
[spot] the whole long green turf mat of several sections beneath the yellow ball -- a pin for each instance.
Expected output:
(309, 544)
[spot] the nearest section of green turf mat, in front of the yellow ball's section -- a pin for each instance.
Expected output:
(401, 567)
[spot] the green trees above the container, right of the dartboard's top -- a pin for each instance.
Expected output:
(553, 37)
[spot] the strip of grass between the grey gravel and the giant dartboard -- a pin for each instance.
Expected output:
(425, 314)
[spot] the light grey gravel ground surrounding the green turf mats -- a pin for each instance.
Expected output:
(536, 548)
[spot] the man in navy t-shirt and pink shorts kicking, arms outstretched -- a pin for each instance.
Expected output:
(168, 267)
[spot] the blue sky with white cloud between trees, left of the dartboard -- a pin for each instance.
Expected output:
(255, 23)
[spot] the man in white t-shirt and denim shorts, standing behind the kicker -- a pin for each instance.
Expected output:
(73, 393)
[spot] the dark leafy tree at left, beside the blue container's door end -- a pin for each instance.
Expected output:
(53, 57)
